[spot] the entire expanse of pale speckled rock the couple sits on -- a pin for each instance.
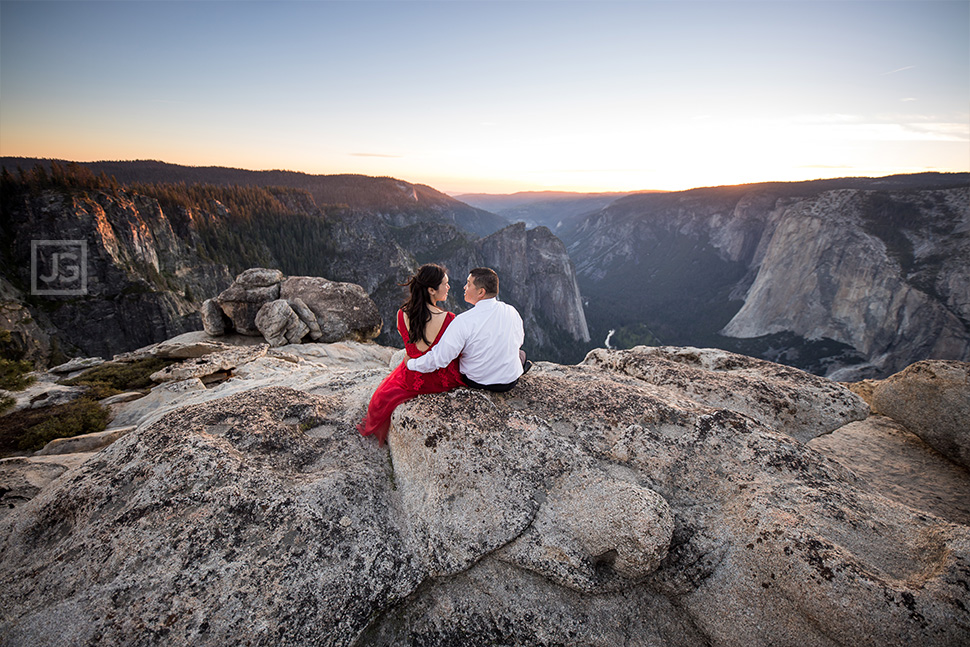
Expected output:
(656, 496)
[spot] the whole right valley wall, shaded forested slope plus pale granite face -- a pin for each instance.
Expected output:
(852, 282)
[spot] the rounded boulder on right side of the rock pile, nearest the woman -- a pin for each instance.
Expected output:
(342, 310)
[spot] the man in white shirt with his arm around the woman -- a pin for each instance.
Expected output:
(487, 338)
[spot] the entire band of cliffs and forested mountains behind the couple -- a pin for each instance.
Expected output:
(848, 277)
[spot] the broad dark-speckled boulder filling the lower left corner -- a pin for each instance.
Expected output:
(223, 523)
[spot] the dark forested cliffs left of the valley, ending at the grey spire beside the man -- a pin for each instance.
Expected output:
(155, 252)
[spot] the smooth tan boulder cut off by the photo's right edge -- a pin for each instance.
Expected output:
(931, 398)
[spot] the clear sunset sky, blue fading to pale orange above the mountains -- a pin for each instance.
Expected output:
(495, 96)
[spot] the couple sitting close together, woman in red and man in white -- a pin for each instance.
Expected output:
(479, 348)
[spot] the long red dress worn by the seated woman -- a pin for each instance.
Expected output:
(403, 384)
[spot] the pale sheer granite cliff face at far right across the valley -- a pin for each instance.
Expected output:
(836, 266)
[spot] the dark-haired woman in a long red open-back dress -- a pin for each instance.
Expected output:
(421, 323)
